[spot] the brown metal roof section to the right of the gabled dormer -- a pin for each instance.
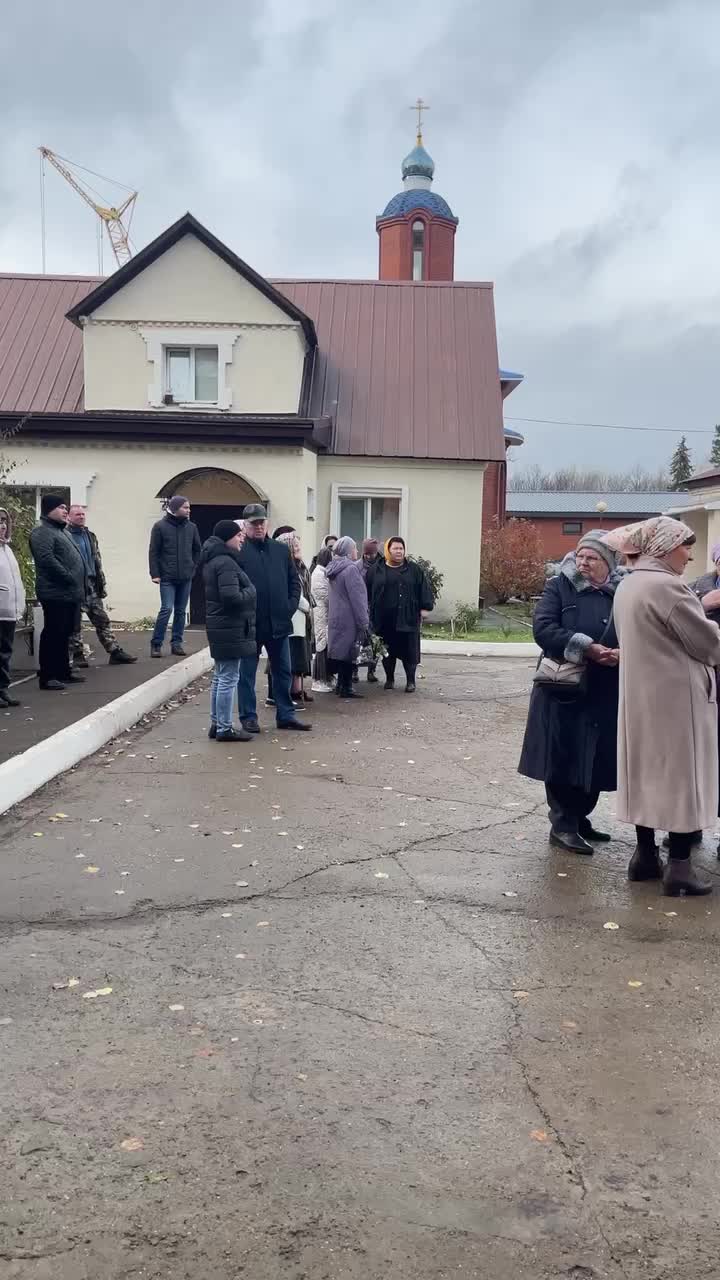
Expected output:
(405, 369)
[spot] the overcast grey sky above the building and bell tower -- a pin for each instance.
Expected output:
(577, 143)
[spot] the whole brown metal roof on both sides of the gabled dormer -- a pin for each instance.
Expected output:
(404, 371)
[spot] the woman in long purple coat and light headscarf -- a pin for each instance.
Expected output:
(348, 614)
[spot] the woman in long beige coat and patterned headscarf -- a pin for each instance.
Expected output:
(668, 721)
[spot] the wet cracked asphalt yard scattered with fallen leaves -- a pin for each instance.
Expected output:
(363, 1023)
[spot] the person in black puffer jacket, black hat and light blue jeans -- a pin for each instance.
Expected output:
(230, 623)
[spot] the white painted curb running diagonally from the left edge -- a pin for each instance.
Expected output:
(25, 774)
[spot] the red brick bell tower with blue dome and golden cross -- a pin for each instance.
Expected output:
(417, 227)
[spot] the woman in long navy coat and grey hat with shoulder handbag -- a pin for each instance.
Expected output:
(572, 733)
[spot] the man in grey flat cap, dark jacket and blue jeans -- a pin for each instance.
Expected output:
(275, 578)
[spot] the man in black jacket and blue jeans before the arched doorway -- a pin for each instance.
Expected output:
(175, 551)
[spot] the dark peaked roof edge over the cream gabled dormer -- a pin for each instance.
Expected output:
(189, 226)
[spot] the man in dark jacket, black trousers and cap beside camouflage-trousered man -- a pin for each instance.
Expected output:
(61, 587)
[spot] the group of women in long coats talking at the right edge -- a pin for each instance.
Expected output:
(630, 703)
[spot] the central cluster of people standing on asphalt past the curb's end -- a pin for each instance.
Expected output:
(261, 596)
